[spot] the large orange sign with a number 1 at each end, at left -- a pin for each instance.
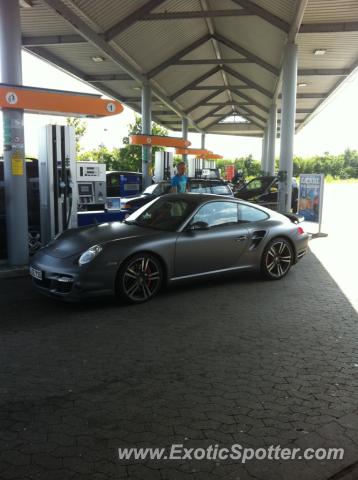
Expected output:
(57, 102)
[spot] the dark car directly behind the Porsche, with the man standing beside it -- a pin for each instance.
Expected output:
(131, 204)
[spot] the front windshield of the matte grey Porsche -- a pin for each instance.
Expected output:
(163, 213)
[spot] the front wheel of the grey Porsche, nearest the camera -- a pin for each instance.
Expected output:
(140, 278)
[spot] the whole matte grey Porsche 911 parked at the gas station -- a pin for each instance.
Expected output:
(174, 237)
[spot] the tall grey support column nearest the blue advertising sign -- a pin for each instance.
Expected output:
(289, 86)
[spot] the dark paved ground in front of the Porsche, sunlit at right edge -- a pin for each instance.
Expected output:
(231, 361)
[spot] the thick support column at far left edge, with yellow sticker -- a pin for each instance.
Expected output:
(13, 125)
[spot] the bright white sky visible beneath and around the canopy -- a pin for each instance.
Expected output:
(333, 130)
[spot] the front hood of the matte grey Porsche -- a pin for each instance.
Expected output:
(76, 241)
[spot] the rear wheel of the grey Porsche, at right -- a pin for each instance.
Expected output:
(277, 259)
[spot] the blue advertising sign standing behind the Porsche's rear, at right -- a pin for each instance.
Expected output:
(311, 197)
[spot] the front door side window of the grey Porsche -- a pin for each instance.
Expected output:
(217, 213)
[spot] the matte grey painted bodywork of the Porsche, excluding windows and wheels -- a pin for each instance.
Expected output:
(183, 253)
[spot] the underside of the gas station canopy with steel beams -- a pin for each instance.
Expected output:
(205, 60)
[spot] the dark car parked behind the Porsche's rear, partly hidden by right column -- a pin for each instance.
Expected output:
(264, 191)
